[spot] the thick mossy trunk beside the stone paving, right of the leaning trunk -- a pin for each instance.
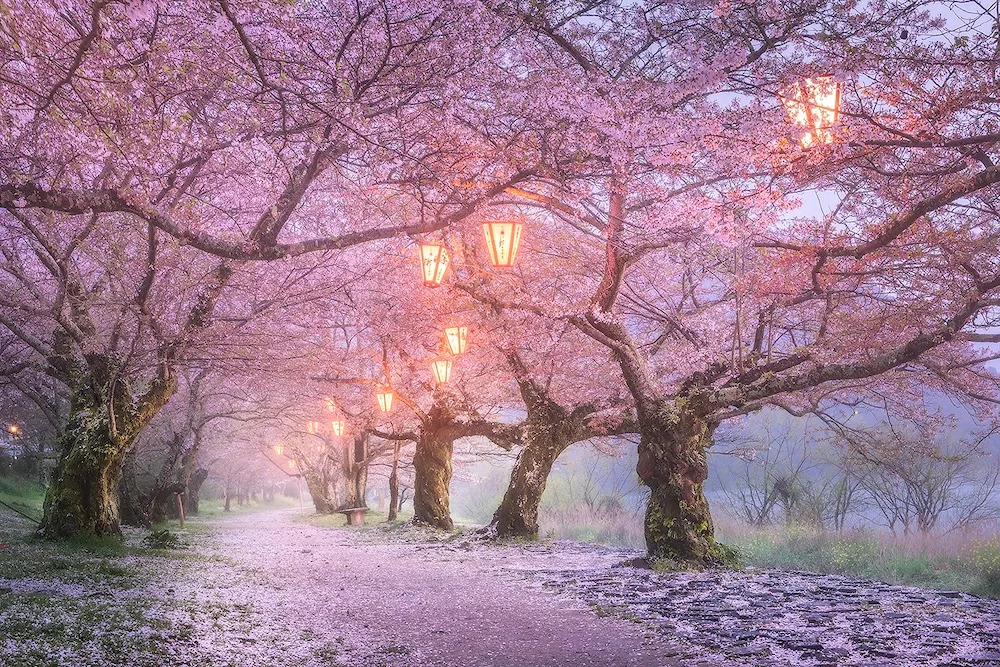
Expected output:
(673, 464)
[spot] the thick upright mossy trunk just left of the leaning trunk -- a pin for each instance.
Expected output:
(432, 478)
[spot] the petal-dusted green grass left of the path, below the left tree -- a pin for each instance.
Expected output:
(79, 602)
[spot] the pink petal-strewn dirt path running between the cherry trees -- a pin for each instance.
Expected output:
(293, 593)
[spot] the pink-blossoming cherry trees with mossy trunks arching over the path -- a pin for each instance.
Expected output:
(193, 187)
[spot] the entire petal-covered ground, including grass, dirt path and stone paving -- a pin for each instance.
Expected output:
(275, 589)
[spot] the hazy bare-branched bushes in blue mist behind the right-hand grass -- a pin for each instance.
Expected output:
(838, 475)
